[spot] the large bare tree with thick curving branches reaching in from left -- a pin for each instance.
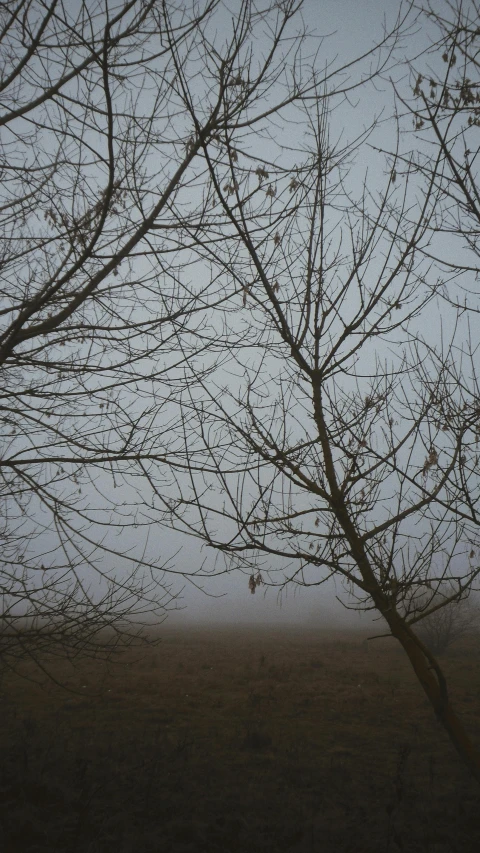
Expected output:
(104, 157)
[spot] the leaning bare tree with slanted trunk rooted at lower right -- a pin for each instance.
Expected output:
(344, 444)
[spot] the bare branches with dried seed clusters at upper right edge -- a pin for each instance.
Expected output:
(443, 102)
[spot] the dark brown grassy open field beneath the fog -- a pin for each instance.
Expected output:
(234, 741)
